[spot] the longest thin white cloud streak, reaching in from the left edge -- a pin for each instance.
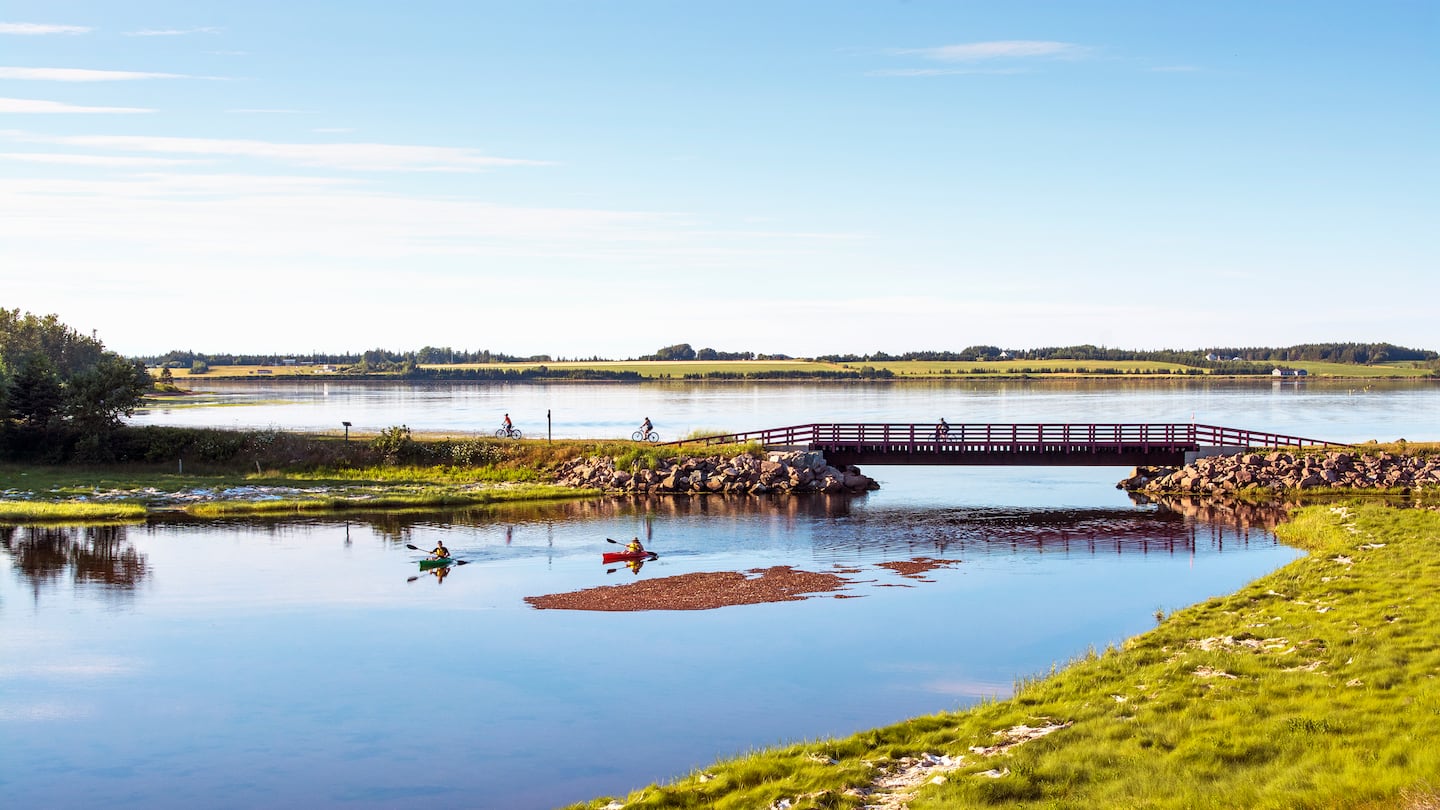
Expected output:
(346, 156)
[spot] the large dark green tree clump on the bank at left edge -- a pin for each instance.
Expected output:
(61, 393)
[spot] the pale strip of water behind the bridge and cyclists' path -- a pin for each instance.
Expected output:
(1334, 411)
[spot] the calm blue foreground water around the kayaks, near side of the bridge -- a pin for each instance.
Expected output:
(297, 649)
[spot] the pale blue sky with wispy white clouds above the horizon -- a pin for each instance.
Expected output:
(800, 178)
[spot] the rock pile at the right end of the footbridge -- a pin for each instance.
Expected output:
(1282, 472)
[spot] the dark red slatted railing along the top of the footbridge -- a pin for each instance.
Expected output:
(981, 437)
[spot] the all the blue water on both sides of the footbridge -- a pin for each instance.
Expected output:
(263, 664)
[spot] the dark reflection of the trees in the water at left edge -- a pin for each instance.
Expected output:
(91, 556)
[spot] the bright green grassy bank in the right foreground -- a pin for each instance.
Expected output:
(1315, 687)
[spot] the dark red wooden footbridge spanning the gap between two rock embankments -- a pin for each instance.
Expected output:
(1032, 445)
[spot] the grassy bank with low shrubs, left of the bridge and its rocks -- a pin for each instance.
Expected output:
(231, 473)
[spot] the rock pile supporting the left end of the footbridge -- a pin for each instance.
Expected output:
(742, 475)
